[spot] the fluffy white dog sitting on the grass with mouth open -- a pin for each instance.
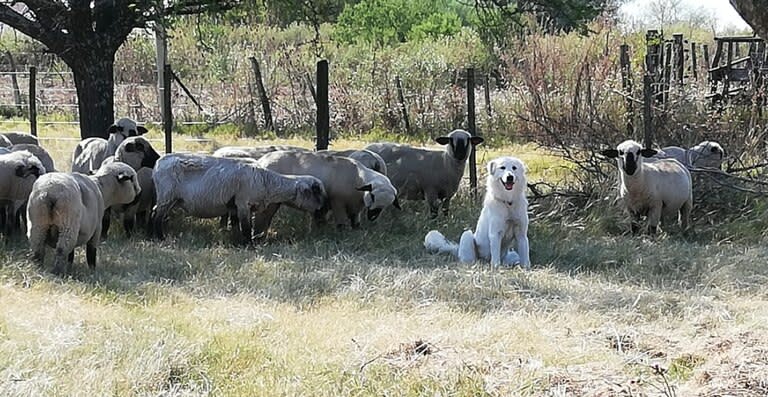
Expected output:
(503, 220)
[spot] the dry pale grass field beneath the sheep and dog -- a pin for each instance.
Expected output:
(327, 313)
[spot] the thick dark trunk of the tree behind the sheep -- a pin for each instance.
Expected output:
(94, 80)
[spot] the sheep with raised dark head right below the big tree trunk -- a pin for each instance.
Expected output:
(91, 152)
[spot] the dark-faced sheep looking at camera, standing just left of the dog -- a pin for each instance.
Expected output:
(433, 175)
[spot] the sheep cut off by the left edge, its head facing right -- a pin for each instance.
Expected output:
(18, 172)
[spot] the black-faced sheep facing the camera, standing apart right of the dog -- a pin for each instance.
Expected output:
(652, 188)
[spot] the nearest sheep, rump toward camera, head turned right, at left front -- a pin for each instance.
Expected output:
(66, 210)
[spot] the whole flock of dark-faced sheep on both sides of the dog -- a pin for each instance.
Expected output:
(124, 177)
